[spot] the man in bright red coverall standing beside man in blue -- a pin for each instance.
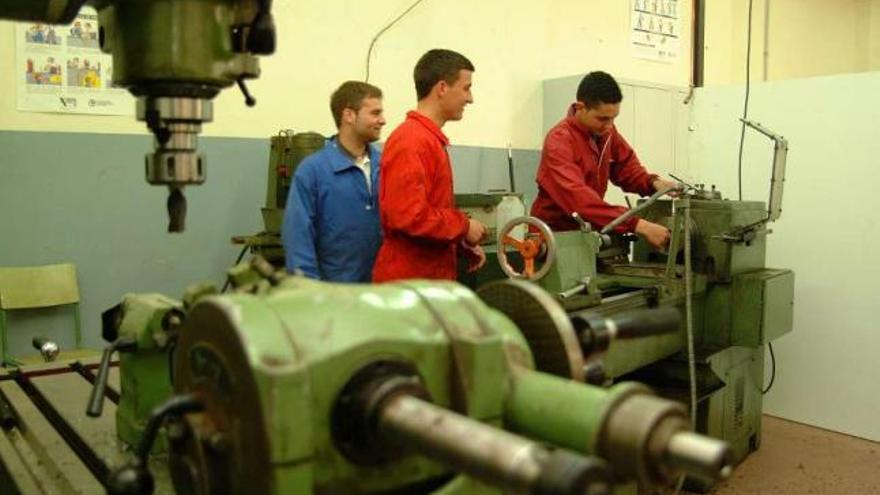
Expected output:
(422, 229)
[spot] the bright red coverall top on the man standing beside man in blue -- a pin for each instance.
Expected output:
(421, 226)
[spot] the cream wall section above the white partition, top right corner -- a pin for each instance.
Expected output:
(791, 39)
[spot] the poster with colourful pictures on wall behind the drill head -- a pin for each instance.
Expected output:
(62, 69)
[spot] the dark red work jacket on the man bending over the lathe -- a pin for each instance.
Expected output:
(571, 177)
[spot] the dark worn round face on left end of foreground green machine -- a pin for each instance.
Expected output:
(211, 364)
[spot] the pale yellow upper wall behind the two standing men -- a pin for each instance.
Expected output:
(515, 44)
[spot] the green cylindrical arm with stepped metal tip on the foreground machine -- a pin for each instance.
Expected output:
(642, 436)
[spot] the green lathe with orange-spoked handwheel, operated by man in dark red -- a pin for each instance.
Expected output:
(713, 272)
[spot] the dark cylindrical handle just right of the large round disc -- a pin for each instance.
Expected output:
(596, 332)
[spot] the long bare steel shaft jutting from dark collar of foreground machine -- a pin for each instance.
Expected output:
(494, 456)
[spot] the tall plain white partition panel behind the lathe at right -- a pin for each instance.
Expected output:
(829, 234)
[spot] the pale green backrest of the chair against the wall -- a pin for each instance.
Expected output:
(24, 287)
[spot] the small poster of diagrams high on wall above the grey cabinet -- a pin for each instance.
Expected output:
(656, 29)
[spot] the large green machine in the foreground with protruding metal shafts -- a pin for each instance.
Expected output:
(291, 386)
